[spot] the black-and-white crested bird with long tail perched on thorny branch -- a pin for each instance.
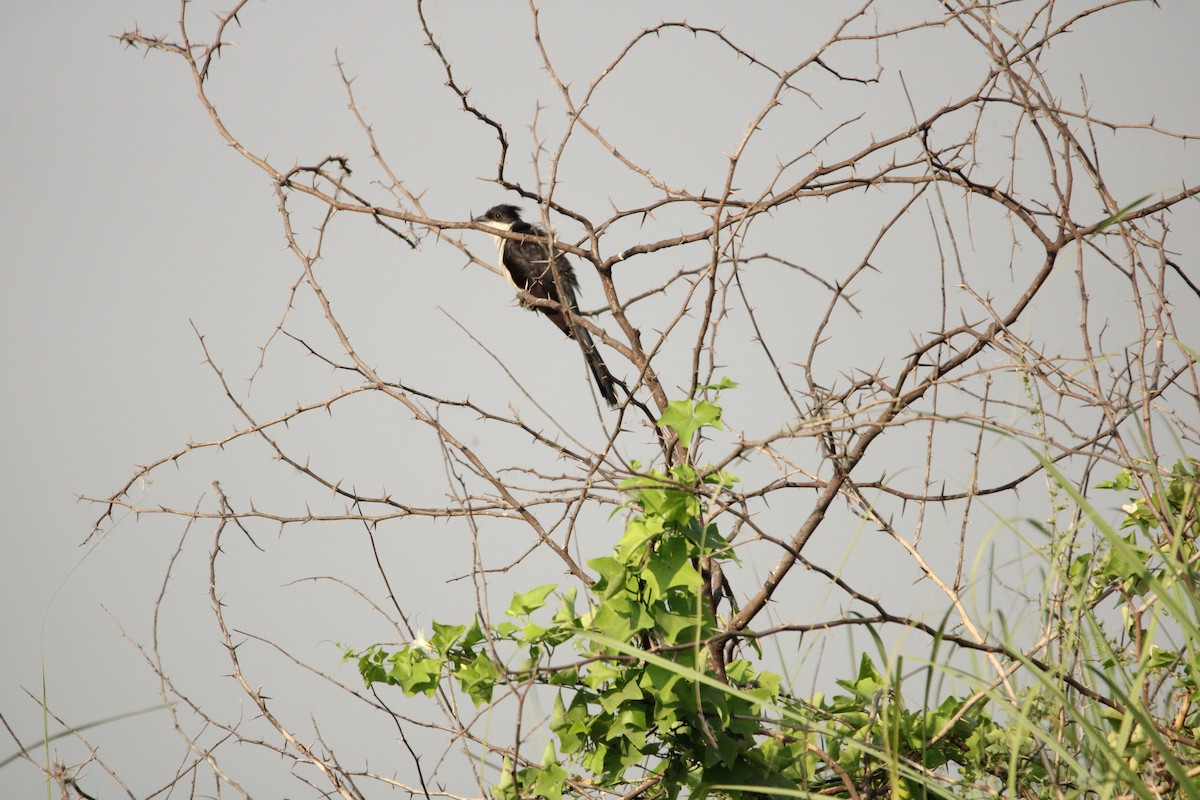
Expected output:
(527, 266)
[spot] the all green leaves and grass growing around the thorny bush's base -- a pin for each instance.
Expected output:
(646, 688)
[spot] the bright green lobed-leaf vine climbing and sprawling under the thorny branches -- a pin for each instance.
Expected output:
(640, 701)
